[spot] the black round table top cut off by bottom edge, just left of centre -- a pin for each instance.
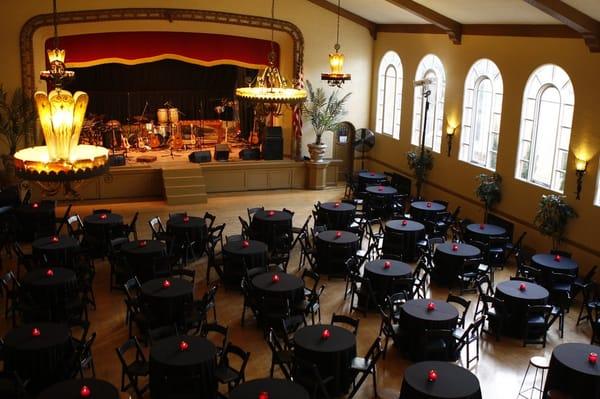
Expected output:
(276, 388)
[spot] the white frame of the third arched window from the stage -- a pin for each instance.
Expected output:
(480, 71)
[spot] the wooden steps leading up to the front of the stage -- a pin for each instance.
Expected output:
(184, 186)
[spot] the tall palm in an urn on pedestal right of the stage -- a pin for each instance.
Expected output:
(324, 113)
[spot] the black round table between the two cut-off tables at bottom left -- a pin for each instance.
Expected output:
(176, 371)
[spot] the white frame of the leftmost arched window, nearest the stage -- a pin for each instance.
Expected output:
(390, 59)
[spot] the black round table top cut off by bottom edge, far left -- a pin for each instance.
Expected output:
(71, 389)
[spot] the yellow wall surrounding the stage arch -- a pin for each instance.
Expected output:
(317, 26)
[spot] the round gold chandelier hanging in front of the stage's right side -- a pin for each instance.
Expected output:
(270, 87)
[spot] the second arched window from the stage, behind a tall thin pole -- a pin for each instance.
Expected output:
(432, 68)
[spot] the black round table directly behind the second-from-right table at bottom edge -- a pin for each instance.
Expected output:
(416, 318)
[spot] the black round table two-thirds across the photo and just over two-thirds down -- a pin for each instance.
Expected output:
(382, 277)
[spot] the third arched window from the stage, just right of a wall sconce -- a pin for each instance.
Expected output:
(482, 108)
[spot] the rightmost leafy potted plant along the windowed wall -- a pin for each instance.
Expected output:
(552, 217)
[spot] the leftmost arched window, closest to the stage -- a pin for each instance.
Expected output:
(389, 95)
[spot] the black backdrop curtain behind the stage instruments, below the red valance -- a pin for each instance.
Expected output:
(120, 91)
